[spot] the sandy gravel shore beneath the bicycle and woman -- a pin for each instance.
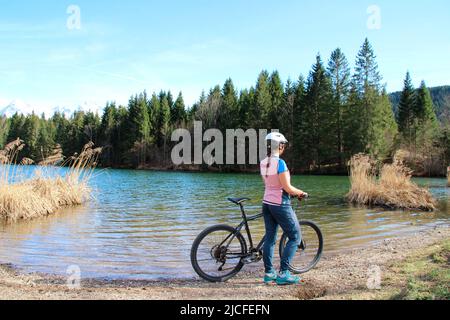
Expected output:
(337, 277)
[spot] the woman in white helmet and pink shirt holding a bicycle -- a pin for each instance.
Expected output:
(277, 210)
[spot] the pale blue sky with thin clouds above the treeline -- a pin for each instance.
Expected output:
(124, 47)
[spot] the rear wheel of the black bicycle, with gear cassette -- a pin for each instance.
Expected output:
(217, 253)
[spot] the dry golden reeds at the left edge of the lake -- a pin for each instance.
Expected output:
(23, 199)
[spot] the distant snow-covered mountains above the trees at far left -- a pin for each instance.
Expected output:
(19, 106)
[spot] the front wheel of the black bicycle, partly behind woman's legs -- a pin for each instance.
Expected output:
(310, 250)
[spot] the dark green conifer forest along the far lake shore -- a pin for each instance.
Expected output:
(330, 115)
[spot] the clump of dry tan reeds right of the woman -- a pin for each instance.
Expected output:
(390, 187)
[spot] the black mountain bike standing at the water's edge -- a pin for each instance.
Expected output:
(220, 252)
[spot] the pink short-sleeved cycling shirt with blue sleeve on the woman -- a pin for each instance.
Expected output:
(271, 168)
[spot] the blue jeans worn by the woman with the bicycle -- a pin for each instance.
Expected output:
(284, 217)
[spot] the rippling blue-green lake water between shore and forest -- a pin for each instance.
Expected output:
(141, 224)
